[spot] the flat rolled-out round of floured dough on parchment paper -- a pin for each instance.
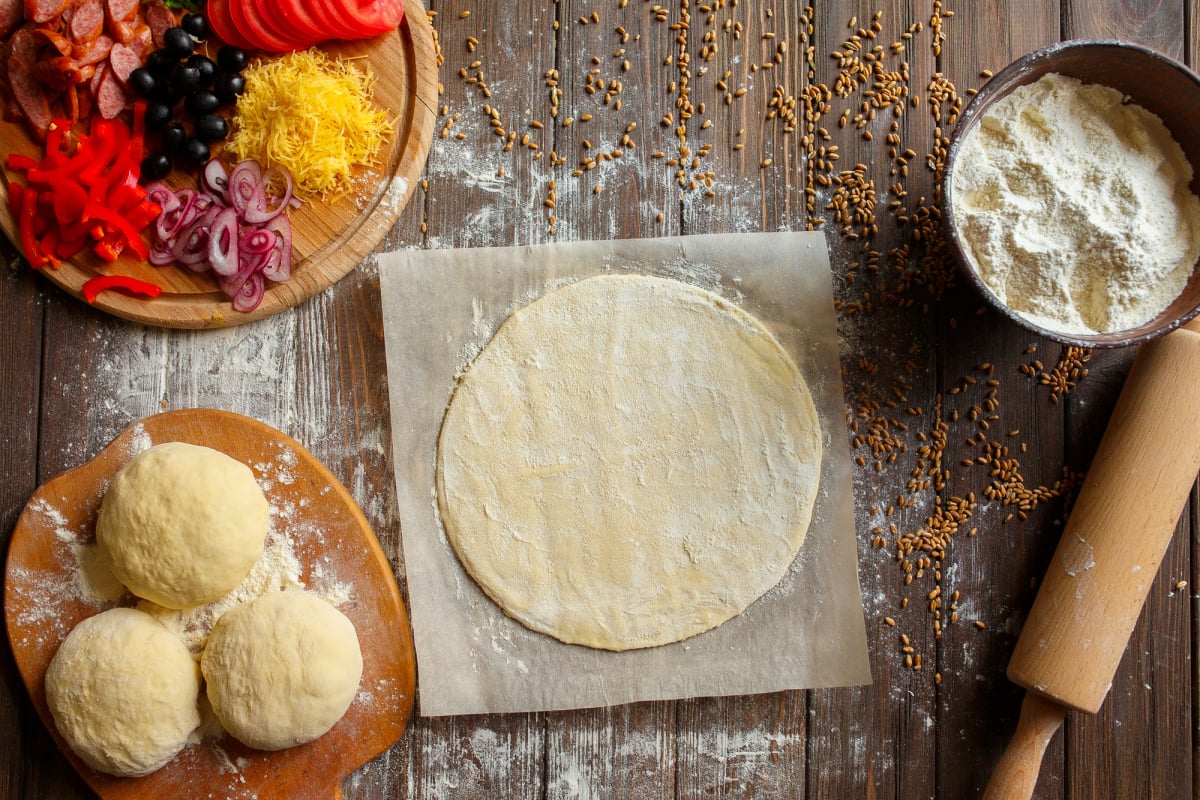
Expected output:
(629, 462)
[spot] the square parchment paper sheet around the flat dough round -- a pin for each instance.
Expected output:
(440, 310)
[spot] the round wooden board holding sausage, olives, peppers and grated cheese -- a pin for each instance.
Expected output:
(329, 239)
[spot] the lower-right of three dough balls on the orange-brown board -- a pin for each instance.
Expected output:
(283, 670)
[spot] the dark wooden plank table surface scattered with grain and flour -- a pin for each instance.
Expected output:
(626, 119)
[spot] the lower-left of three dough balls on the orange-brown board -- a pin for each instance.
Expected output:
(123, 691)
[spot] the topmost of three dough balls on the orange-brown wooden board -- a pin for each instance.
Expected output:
(183, 525)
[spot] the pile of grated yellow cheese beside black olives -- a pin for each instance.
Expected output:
(311, 116)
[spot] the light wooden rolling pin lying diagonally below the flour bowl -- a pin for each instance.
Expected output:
(1109, 554)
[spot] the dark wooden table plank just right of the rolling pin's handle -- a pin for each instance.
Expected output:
(1144, 721)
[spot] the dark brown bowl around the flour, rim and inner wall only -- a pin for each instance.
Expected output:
(1161, 86)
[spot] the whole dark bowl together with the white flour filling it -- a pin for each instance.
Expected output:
(1071, 194)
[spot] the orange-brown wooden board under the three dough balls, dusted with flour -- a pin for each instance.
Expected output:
(333, 543)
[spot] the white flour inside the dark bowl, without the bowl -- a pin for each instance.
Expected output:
(1076, 209)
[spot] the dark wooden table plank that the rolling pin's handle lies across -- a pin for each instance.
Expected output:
(991, 578)
